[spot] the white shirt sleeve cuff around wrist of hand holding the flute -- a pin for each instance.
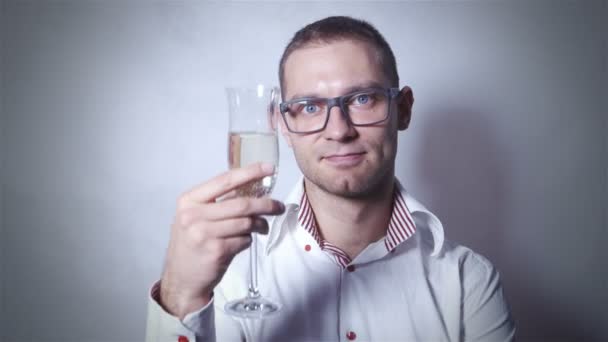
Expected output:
(197, 326)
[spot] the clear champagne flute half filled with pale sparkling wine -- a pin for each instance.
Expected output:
(252, 138)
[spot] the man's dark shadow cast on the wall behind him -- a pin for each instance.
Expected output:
(466, 172)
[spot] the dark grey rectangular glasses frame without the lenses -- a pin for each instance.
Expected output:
(339, 102)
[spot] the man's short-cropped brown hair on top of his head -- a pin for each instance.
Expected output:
(339, 28)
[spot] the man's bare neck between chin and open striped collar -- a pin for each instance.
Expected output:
(351, 224)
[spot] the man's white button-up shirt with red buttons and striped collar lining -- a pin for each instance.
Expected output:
(411, 285)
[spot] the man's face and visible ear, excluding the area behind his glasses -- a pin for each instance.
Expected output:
(343, 160)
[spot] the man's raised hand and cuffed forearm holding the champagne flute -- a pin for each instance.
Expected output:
(205, 236)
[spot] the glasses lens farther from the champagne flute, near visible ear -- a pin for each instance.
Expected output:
(367, 107)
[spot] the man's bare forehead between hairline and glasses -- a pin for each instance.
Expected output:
(328, 69)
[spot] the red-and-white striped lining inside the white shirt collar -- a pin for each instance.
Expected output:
(400, 228)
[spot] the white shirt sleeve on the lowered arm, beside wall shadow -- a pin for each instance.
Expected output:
(486, 315)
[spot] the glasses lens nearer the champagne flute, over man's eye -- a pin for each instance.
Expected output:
(305, 115)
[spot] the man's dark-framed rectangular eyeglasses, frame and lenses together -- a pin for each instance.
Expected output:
(364, 107)
